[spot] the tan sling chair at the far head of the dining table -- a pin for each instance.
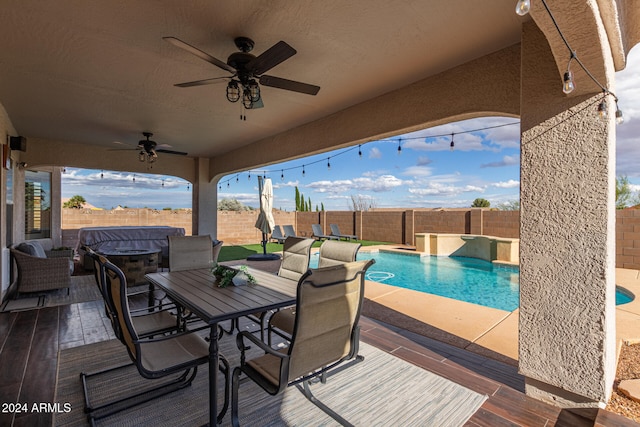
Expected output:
(191, 252)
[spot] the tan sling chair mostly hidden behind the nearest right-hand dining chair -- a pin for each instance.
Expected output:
(332, 252)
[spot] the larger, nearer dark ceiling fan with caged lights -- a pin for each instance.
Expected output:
(246, 68)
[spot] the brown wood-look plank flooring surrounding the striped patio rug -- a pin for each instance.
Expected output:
(30, 340)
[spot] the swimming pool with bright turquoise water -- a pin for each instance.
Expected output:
(465, 279)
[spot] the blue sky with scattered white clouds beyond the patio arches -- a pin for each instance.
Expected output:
(426, 173)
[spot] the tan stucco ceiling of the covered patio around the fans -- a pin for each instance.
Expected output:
(100, 72)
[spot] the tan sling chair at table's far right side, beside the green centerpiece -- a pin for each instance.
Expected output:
(296, 253)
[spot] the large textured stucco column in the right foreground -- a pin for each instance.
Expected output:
(567, 236)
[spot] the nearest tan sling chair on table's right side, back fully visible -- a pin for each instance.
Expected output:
(325, 334)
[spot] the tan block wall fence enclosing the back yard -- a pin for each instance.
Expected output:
(394, 226)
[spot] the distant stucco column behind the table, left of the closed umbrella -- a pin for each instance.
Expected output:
(204, 201)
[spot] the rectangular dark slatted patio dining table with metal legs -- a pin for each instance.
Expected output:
(198, 291)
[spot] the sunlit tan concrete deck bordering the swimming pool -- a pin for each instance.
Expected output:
(487, 331)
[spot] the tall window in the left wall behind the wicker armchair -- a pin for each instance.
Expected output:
(37, 209)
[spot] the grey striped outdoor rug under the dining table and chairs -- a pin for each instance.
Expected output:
(380, 391)
